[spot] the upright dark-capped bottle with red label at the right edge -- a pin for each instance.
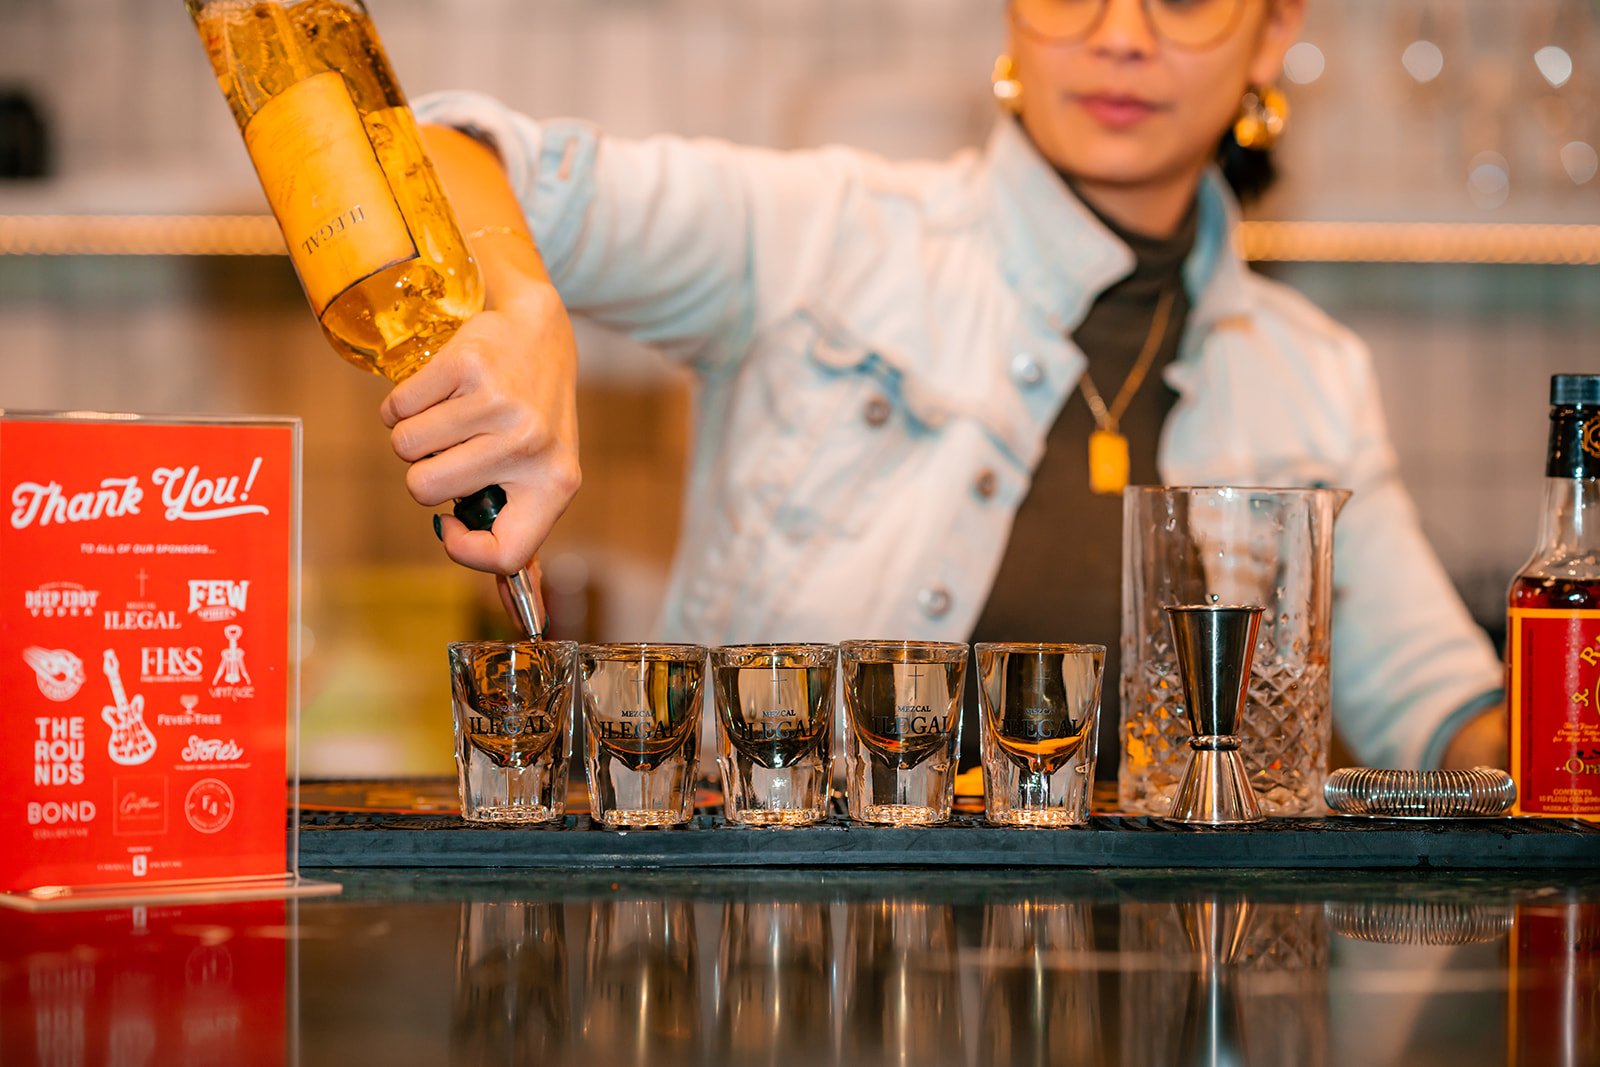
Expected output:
(1553, 649)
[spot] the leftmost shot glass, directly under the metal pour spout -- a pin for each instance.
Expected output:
(514, 729)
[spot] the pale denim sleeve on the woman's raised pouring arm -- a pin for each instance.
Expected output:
(687, 246)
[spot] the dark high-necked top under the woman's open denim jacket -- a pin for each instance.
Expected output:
(1062, 573)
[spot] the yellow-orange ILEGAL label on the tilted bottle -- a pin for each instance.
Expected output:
(327, 188)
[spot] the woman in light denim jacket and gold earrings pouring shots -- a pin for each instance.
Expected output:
(924, 385)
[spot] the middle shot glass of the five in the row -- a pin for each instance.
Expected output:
(775, 705)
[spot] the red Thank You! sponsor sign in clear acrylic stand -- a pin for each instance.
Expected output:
(146, 581)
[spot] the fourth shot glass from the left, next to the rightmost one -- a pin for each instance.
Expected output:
(903, 701)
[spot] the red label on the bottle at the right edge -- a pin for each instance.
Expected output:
(1554, 693)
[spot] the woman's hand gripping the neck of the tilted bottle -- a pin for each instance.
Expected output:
(497, 407)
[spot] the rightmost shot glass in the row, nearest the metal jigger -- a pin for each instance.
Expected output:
(1039, 708)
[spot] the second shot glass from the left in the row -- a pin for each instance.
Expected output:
(642, 708)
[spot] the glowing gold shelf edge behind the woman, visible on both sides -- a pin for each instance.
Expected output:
(1262, 242)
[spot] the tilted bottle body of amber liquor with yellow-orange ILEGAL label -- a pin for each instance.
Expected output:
(343, 164)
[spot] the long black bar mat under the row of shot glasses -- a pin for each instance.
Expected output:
(348, 839)
